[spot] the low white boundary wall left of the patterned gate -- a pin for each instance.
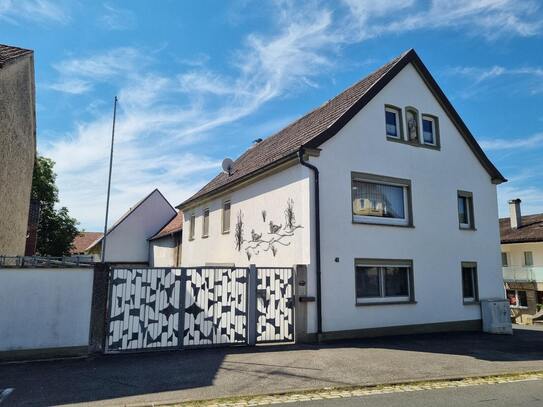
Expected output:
(44, 308)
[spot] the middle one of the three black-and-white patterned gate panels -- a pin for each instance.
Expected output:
(215, 306)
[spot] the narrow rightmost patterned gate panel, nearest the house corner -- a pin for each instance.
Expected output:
(275, 305)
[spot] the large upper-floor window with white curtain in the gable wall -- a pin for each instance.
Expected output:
(381, 200)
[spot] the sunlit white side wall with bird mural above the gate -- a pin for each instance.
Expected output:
(270, 194)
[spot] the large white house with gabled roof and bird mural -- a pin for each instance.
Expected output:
(382, 192)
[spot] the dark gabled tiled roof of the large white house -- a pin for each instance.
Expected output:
(319, 125)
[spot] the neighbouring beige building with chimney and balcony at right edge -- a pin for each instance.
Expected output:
(522, 260)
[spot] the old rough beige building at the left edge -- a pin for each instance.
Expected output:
(17, 146)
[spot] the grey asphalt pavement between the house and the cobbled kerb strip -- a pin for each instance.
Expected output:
(211, 373)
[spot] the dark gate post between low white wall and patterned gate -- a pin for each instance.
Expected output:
(98, 315)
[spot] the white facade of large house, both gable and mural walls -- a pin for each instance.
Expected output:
(435, 244)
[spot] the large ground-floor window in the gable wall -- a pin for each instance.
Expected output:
(383, 281)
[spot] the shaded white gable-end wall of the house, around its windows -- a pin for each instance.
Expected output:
(436, 244)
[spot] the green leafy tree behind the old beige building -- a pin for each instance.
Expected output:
(56, 228)
